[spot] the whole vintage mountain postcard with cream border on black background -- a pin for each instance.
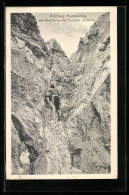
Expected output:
(61, 93)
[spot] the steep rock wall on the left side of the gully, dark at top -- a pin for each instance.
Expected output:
(30, 75)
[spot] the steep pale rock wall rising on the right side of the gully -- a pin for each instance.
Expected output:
(91, 98)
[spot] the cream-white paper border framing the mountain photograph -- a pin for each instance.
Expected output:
(113, 30)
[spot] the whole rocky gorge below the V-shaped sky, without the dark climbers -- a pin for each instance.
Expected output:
(80, 141)
